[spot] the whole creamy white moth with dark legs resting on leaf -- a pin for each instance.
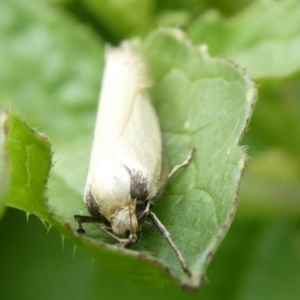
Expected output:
(127, 171)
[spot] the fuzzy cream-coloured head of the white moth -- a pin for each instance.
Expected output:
(124, 221)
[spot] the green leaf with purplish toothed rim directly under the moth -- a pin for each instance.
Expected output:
(207, 97)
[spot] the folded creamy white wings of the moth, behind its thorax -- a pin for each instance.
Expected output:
(127, 127)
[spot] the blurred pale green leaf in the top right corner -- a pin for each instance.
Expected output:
(264, 39)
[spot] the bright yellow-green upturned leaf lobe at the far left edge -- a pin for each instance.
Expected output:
(29, 159)
